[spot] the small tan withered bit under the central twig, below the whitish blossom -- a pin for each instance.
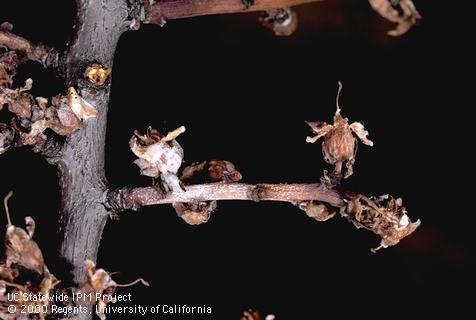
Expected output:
(195, 213)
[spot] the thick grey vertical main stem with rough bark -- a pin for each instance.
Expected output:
(81, 162)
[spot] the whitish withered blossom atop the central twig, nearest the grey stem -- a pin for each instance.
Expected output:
(159, 156)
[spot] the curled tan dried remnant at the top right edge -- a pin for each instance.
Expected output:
(402, 12)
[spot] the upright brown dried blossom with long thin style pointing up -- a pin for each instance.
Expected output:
(339, 145)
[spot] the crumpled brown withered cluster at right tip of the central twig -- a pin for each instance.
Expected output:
(384, 215)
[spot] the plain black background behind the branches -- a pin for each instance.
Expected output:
(243, 95)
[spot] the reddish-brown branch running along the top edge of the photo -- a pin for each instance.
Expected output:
(161, 10)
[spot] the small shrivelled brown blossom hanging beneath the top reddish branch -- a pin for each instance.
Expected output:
(282, 21)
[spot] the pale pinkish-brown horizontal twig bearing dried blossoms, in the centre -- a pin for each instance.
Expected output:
(135, 198)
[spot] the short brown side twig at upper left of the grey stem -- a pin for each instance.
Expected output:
(39, 53)
